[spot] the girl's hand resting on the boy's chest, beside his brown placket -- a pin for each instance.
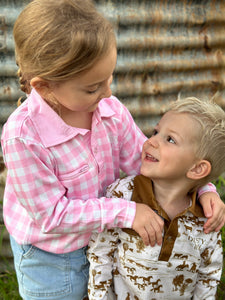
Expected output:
(148, 225)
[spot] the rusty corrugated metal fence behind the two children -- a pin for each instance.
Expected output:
(165, 48)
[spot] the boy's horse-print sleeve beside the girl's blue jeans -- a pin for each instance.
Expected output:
(101, 257)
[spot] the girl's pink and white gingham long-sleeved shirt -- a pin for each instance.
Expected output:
(57, 174)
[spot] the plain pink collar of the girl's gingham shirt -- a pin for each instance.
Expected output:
(51, 128)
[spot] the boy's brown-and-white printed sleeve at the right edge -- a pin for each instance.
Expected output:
(210, 269)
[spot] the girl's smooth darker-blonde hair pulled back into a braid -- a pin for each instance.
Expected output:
(58, 39)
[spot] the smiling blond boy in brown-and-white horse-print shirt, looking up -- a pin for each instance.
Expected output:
(185, 152)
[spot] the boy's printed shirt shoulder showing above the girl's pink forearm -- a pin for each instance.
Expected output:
(121, 188)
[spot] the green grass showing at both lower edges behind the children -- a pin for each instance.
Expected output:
(8, 281)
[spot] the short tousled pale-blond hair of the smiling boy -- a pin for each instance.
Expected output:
(210, 135)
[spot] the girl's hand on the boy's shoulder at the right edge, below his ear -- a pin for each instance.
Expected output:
(214, 210)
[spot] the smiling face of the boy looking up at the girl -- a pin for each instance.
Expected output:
(170, 152)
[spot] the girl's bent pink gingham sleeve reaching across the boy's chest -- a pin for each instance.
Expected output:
(33, 181)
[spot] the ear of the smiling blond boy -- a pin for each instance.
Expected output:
(200, 170)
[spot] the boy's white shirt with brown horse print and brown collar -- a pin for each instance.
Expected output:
(188, 265)
